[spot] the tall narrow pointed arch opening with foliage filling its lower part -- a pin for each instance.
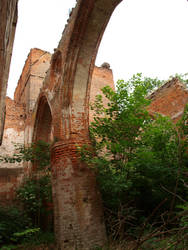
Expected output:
(41, 168)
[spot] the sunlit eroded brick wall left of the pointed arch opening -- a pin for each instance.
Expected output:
(18, 112)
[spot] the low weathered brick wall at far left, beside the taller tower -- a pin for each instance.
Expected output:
(11, 174)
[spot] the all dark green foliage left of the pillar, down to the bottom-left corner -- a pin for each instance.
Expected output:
(34, 194)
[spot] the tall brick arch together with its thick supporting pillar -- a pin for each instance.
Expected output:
(78, 215)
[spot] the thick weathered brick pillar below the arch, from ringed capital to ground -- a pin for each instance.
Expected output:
(77, 205)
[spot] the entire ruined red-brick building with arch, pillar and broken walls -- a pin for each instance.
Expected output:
(55, 105)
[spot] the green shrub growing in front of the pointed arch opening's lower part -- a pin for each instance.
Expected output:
(36, 192)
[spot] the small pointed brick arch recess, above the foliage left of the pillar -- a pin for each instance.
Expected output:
(43, 122)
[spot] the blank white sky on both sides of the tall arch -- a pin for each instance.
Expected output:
(147, 36)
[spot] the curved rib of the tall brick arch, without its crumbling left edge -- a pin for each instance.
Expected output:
(92, 20)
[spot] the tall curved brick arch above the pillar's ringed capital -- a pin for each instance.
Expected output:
(72, 65)
